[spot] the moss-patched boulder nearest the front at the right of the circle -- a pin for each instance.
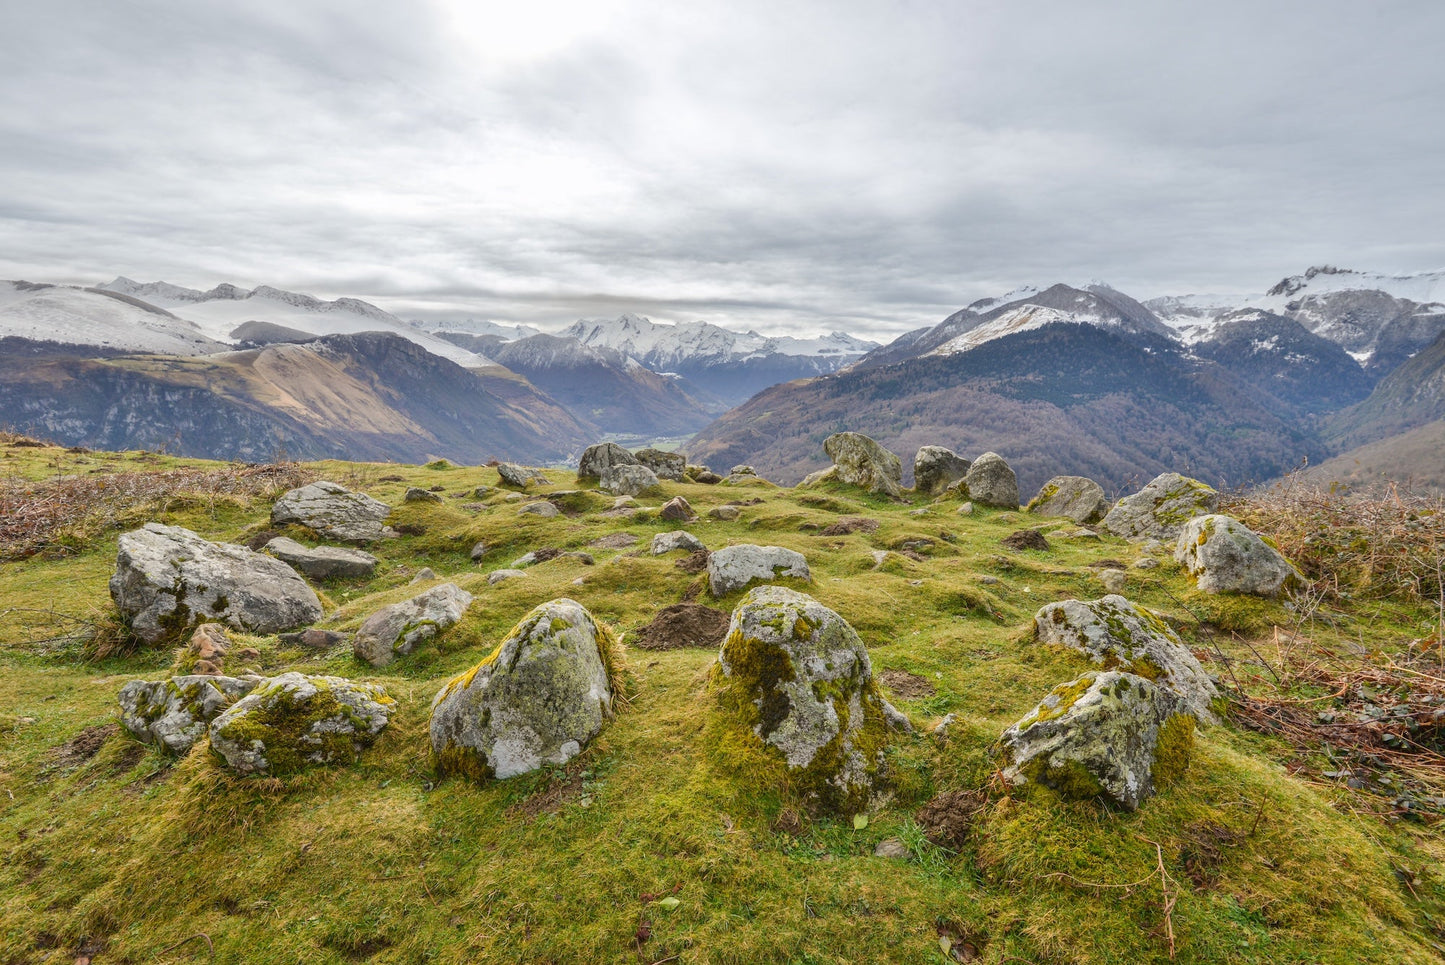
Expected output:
(1106, 735)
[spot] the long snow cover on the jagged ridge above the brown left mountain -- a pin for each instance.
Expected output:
(225, 308)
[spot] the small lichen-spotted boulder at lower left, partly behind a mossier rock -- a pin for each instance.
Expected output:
(176, 713)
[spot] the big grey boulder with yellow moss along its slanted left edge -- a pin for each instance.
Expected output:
(538, 700)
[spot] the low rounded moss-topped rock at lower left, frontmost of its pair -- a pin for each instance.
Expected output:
(294, 722)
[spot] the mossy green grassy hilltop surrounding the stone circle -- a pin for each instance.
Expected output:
(1307, 830)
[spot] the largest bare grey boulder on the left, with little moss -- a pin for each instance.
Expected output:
(170, 580)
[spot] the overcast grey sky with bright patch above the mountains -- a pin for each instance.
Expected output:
(780, 165)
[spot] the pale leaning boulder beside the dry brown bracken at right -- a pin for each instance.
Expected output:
(1230, 558)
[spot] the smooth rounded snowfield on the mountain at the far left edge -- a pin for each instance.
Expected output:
(106, 320)
